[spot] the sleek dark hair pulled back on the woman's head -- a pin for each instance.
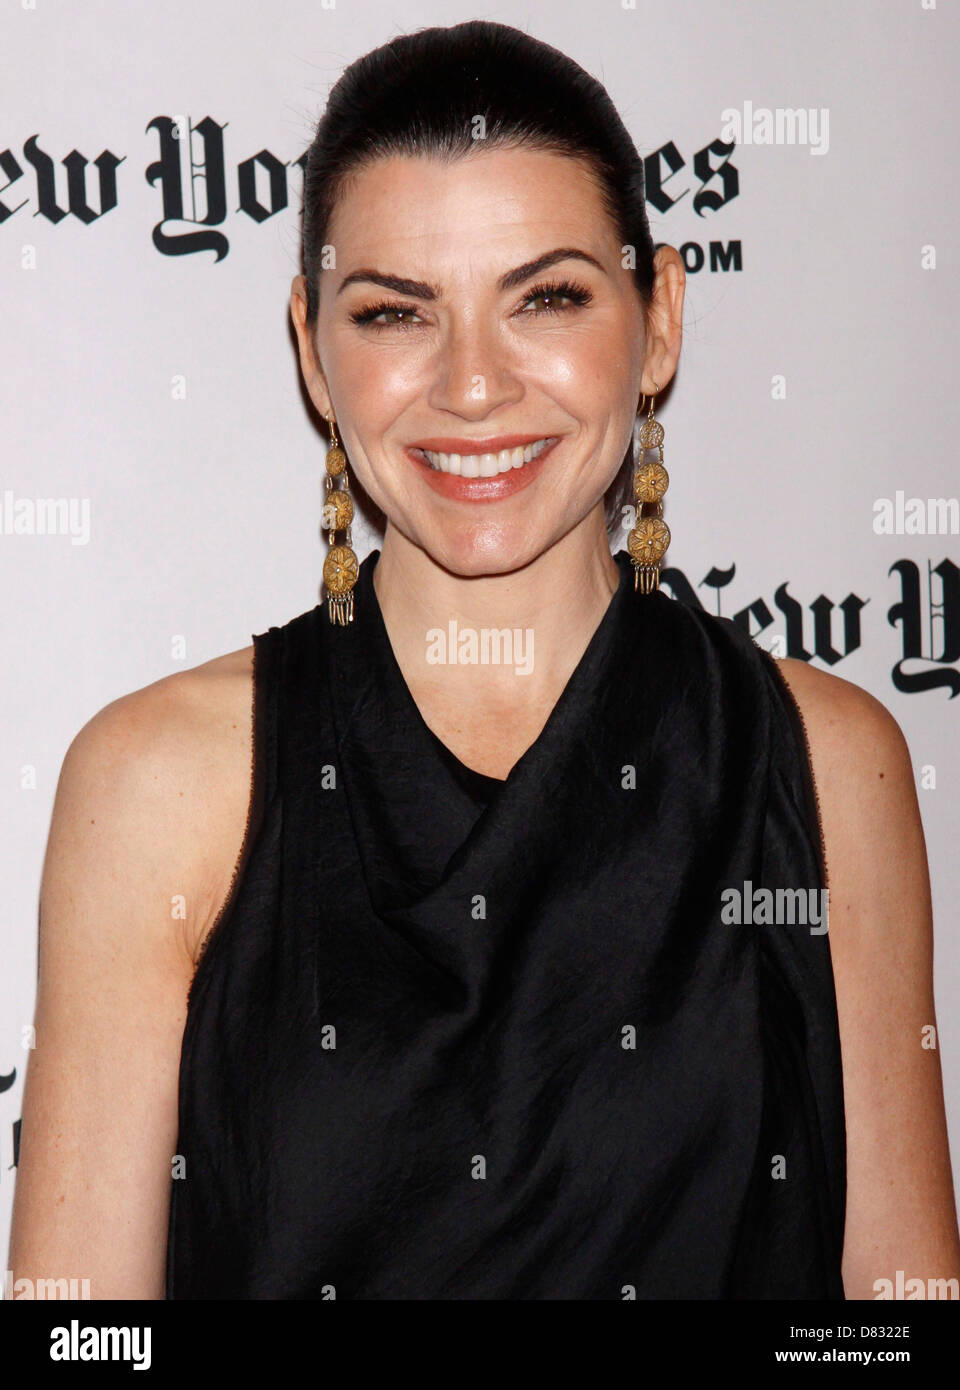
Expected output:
(420, 95)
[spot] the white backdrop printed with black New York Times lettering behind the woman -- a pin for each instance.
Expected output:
(159, 394)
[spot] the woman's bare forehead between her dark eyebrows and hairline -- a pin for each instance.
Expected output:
(488, 209)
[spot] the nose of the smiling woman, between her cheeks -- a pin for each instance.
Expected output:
(473, 376)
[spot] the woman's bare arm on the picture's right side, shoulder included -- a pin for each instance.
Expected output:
(901, 1214)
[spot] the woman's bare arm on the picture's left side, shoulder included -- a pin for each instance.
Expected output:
(135, 824)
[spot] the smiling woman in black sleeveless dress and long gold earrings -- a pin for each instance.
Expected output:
(469, 1015)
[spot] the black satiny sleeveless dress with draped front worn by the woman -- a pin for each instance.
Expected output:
(458, 1038)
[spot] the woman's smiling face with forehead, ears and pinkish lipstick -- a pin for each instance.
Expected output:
(440, 332)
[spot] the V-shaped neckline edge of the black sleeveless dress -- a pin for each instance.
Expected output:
(483, 786)
